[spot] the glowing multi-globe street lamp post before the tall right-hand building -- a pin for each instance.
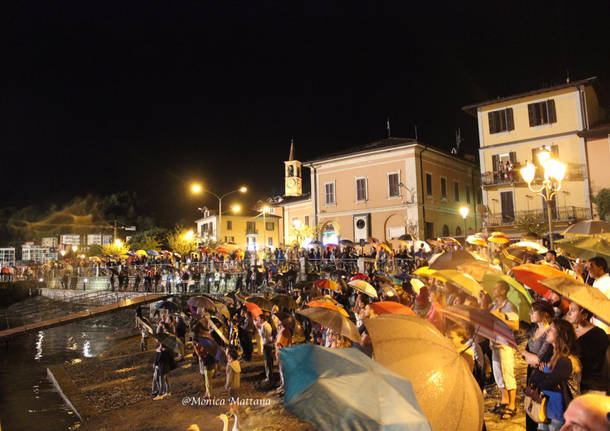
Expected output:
(554, 172)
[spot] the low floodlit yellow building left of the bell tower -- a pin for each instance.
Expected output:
(250, 230)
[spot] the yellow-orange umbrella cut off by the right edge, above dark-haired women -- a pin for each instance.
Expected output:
(582, 294)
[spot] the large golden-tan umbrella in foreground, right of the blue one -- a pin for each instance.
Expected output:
(446, 390)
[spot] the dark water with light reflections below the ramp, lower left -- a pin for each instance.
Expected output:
(28, 400)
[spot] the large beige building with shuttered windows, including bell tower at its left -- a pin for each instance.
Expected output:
(383, 189)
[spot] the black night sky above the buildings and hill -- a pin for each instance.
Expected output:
(147, 96)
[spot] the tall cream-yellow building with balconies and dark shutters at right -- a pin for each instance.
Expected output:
(514, 129)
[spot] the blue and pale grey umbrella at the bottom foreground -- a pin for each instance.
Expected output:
(343, 389)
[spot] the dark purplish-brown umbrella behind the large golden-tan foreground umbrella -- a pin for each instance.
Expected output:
(485, 324)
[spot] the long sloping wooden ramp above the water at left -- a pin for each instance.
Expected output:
(57, 321)
